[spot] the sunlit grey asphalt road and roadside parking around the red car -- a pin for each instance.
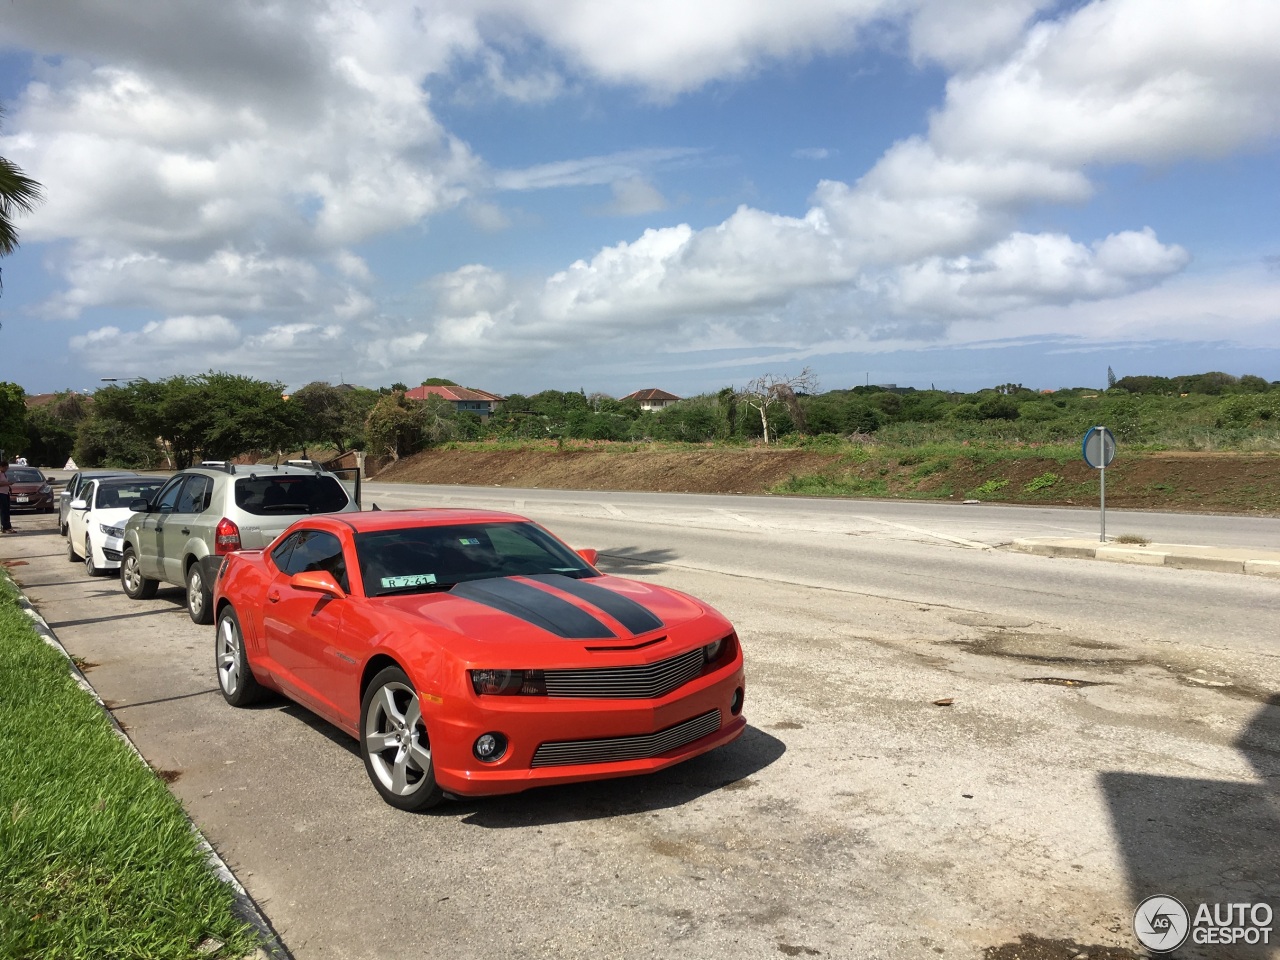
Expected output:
(1114, 733)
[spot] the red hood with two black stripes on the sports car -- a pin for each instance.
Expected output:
(602, 611)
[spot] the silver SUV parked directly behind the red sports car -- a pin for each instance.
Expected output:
(181, 536)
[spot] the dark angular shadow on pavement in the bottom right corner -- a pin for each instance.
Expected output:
(1206, 842)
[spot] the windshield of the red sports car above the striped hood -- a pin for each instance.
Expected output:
(419, 560)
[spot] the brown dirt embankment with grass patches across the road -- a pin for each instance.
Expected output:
(1229, 483)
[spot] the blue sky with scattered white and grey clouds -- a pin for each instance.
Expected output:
(579, 194)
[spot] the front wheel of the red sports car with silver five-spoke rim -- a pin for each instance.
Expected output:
(395, 743)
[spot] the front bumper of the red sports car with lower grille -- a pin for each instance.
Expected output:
(554, 740)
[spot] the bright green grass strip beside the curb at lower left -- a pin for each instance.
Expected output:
(97, 856)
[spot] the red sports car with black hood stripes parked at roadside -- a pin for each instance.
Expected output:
(473, 653)
